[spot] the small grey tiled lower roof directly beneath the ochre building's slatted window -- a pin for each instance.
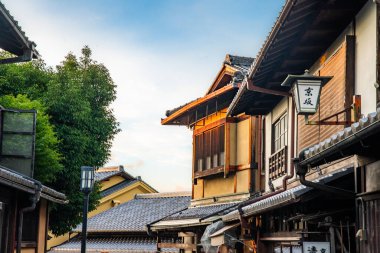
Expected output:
(202, 211)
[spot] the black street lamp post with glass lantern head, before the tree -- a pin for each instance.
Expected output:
(87, 183)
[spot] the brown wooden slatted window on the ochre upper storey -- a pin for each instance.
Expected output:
(209, 149)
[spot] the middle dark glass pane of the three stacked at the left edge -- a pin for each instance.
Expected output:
(16, 144)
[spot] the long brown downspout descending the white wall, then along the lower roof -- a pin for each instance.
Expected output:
(284, 180)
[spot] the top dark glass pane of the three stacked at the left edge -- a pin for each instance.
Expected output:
(18, 121)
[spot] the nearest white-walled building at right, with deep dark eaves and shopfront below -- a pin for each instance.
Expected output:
(332, 204)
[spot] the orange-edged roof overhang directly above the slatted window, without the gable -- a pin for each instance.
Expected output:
(202, 107)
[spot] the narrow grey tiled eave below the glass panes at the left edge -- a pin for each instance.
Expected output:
(24, 183)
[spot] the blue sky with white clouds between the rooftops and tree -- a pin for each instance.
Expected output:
(160, 53)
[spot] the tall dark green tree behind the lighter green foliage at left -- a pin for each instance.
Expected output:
(76, 95)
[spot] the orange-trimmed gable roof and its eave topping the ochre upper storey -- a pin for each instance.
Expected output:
(218, 96)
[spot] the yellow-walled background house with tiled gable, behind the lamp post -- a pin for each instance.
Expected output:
(117, 187)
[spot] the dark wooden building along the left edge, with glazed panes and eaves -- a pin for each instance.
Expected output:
(24, 201)
